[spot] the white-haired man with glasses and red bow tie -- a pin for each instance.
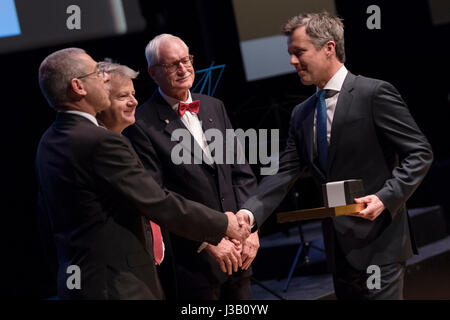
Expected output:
(203, 271)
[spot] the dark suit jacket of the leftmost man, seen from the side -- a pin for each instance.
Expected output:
(94, 192)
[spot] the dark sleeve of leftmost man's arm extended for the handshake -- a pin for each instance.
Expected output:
(116, 165)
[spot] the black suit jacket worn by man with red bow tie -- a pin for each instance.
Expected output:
(223, 187)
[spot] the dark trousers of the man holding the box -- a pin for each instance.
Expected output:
(352, 284)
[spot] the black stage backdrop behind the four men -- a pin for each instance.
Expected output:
(408, 51)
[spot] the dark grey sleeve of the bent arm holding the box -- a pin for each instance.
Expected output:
(395, 123)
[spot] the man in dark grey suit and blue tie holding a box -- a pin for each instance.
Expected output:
(353, 128)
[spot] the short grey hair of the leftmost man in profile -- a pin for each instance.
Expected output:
(55, 73)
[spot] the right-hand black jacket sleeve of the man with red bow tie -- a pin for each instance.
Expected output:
(243, 178)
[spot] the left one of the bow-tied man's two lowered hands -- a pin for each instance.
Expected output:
(227, 254)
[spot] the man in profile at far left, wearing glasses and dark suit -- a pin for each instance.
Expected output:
(87, 174)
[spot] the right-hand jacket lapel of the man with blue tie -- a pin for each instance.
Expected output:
(342, 108)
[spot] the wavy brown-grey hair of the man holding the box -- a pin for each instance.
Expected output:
(321, 28)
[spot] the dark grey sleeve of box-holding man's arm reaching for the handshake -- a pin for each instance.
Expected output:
(272, 189)
